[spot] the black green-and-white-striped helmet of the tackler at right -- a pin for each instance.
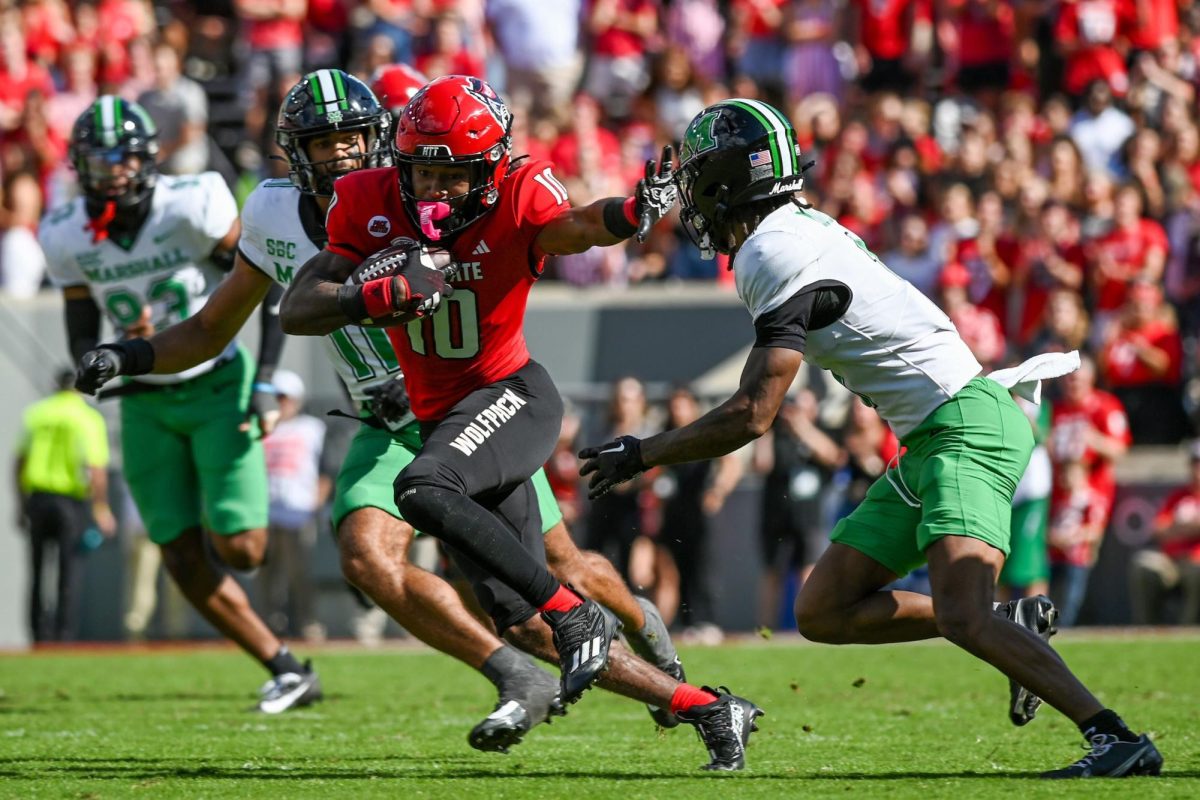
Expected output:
(734, 154)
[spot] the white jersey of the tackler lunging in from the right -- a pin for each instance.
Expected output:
(892, 347)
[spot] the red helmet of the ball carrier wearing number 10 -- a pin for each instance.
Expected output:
(455, 121)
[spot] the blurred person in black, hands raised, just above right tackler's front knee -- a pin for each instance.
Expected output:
(797, 460)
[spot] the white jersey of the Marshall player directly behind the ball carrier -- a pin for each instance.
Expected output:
(278, 242)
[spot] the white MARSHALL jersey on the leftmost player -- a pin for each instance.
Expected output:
(167, 266)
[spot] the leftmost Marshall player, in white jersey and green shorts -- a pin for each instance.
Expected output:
(147, 250)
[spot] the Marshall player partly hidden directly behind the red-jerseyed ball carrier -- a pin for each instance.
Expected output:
(331, 124)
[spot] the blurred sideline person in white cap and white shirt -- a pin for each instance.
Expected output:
(298, 491)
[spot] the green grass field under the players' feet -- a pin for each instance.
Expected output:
(905, 721)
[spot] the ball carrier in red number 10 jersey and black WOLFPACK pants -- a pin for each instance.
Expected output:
(490, 414)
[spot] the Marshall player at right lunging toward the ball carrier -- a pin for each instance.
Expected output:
(815, 291)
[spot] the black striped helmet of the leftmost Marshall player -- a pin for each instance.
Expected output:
(113, 148)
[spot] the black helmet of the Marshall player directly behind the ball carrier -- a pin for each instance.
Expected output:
(325, 101)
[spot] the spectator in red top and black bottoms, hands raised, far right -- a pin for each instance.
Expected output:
(1142, 364)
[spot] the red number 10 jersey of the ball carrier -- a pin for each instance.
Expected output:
(477, 336)
